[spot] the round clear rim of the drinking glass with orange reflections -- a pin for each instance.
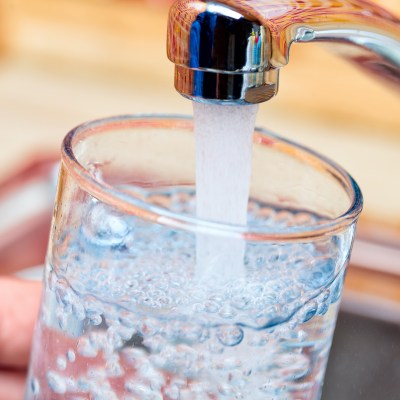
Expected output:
(108, 194)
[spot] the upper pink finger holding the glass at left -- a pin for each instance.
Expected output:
(19, 305)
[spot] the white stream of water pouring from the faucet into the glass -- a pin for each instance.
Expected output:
(223, 172)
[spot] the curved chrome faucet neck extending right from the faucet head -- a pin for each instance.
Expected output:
(314, 20)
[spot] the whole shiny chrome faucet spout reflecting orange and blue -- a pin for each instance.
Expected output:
(231, 51)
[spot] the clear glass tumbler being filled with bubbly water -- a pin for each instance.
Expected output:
(127, 313)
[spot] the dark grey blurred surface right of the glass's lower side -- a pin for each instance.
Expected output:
(364, 363)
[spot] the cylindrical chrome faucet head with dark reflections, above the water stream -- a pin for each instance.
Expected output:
(220, 55)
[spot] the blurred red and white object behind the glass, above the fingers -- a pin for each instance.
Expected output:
(26, 202)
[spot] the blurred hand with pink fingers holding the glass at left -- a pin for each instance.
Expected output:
(19, 305)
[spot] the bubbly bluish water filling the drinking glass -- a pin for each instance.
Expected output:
(131, 293)
